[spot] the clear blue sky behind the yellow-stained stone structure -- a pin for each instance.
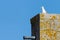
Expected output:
(15, 16)
